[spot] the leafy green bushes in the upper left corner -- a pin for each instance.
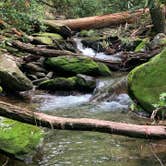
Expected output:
(21, 14)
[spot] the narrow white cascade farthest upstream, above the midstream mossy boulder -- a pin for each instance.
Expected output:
(91, 53)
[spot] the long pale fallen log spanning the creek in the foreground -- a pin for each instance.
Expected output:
(82, 124)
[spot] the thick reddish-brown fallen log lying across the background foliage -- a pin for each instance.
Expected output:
(99, 21)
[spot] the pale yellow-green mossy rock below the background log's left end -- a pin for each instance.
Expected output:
(47, 38)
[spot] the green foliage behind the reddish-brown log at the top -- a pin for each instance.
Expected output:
(81, 8)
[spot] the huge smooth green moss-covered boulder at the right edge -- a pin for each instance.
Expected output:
(148, 81)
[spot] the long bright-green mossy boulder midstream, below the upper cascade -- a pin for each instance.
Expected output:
(70, 65)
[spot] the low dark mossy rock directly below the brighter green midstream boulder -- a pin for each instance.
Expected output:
(78, 83)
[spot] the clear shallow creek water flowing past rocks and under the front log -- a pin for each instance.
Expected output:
(77, 148)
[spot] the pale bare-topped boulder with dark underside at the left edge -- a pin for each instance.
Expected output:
(11, 77)
